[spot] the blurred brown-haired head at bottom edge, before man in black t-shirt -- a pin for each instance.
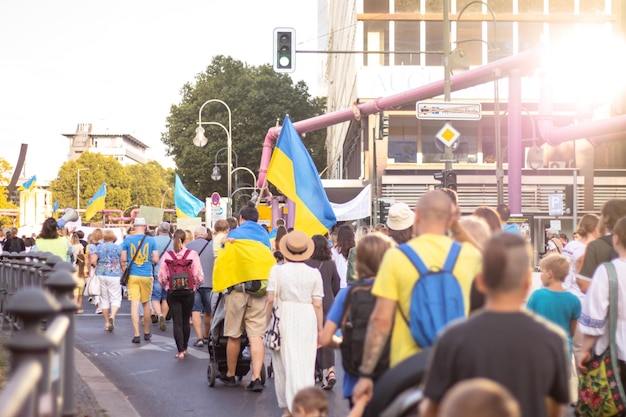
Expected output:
(479, 397)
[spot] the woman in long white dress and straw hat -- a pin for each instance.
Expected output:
(300, 292)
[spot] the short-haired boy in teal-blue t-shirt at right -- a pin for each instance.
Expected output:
(553, 302)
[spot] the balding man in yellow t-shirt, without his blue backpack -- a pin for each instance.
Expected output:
(434, 214)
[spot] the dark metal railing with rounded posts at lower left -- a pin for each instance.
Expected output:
(36, 304)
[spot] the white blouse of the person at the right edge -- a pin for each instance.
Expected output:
(595, 315)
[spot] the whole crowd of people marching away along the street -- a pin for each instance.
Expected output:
(513, 350)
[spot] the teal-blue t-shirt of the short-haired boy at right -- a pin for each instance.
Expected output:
(560, 307)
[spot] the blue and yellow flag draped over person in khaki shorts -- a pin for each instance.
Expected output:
(247, 258)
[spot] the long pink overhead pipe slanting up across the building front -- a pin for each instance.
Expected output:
(525, 61)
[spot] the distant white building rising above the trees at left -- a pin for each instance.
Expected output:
(125, 148)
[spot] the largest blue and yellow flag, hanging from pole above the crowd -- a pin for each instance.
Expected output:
(314, 215)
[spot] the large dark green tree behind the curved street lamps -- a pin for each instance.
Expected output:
(257, 97)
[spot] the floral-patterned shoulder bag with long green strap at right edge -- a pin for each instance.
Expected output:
(600, 390)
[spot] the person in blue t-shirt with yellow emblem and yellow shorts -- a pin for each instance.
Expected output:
(140, 280)
